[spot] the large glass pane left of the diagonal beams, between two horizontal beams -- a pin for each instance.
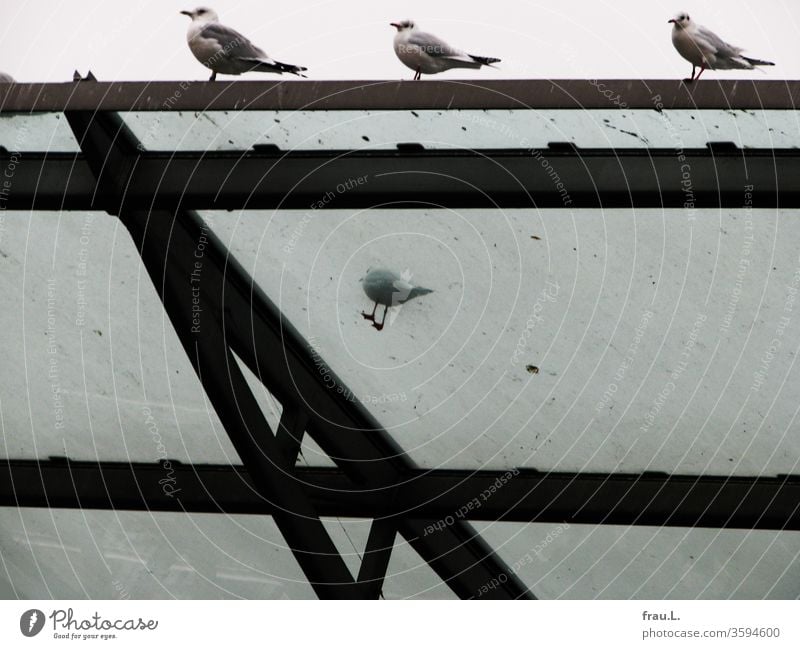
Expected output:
(101, 374)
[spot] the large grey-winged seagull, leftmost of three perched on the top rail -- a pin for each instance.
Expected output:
(224, 50)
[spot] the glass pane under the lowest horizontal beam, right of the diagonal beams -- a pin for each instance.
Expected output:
(560, 561)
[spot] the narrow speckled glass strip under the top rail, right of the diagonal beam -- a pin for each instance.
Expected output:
(471, 129)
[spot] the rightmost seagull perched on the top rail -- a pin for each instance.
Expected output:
(704, 49)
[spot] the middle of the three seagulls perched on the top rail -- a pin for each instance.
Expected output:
(425, 53)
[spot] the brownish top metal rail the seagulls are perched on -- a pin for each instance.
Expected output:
(399, 95)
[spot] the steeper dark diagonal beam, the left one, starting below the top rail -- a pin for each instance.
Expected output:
(192, 298)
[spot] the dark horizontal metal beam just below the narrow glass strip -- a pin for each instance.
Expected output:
(561, 176)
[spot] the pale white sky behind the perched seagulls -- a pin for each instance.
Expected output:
(45, 40)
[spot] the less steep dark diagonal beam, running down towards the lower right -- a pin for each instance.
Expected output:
(295, 374)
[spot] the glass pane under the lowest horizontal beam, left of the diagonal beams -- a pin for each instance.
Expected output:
(72, 554)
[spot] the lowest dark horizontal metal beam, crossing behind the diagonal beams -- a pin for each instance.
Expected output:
(441, 497)
